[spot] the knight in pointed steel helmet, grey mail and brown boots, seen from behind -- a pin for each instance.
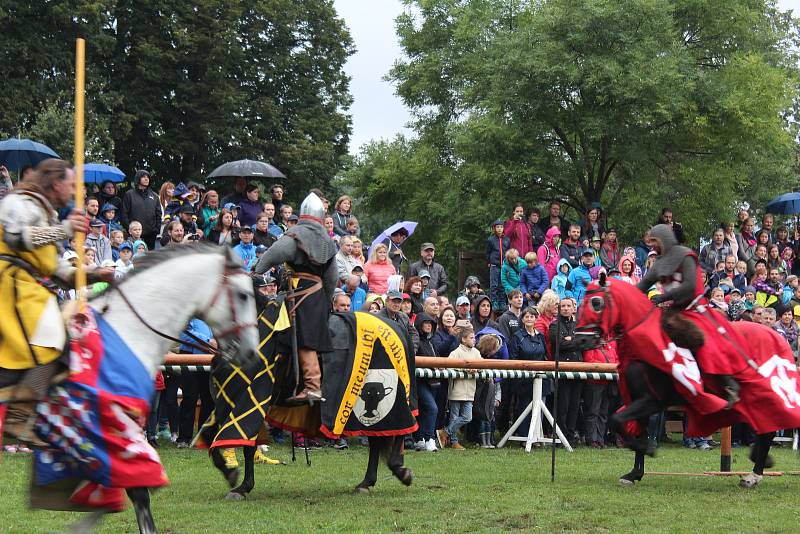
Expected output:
(309, 254)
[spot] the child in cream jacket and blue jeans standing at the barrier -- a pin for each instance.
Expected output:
(461, 392)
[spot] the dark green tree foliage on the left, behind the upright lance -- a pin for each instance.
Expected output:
(180, 87)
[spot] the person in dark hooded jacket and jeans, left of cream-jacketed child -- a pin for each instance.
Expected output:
(427, 388)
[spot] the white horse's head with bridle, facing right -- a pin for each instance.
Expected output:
(231, 314)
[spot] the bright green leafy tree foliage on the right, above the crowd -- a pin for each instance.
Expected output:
(637, 104)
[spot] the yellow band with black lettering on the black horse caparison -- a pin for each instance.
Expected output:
(370, 329)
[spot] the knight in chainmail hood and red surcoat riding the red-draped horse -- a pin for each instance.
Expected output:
(686, 318)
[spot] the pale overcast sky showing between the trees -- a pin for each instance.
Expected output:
(377, 111)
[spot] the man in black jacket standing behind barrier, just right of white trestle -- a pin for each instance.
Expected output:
(564, 348)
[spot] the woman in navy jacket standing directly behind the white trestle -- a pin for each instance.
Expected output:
(528, 343)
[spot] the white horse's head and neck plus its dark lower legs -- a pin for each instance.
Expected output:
(150, 308)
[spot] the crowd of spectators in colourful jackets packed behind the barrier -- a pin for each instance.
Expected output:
(539, 265)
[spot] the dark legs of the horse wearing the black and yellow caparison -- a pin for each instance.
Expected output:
(390, 446)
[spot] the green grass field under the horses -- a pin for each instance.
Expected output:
(454, 491)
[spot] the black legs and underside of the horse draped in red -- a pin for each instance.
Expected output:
(651, 392)
